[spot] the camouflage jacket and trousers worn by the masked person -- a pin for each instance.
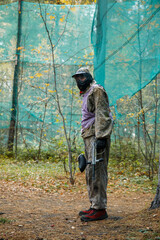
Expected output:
(97, 102)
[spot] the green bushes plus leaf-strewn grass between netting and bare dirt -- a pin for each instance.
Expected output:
(126, 168)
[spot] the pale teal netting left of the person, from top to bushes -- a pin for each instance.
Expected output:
(43, 26)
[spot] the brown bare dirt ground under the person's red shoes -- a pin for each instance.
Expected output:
(37, 215)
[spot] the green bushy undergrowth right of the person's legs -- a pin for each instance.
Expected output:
(125, 157)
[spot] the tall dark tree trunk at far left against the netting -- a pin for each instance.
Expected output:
(15, 83)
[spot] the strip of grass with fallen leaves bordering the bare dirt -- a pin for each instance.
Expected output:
(51, 177)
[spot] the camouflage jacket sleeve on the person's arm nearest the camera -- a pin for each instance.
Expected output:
(99, 104)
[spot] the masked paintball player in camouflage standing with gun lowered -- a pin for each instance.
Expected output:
(96, 127)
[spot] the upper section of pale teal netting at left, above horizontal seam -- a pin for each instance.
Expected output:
(67, 27)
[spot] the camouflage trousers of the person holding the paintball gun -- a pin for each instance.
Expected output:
(97, 188)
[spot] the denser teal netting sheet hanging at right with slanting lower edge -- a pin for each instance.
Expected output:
(126, 38)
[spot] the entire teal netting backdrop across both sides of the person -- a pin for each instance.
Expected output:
(118, 39)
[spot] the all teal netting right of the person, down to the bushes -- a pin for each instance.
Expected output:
(126, 40)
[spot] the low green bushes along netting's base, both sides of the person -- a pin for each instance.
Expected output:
(123, 156)
